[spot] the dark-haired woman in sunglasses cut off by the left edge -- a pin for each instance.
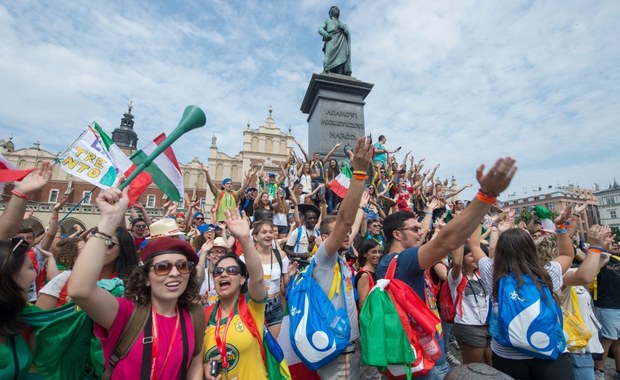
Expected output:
(17, 274)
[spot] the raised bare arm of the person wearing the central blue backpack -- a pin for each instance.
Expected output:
(350, 204)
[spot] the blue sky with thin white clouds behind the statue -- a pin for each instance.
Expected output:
(457, 82)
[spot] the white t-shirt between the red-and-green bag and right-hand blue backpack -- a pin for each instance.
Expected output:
(475, 300)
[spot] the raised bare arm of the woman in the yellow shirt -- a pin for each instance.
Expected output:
(240, 229)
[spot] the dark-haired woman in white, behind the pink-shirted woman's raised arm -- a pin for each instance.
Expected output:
(120, 259)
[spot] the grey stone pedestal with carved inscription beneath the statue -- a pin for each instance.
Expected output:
(335, 107)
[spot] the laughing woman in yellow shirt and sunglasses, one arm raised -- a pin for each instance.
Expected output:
(234, 351)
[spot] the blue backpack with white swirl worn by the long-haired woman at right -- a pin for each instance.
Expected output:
(526, 320)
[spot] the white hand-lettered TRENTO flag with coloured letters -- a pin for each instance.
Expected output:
(86, 158)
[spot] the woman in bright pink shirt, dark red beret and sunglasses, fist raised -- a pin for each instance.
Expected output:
(165, 285)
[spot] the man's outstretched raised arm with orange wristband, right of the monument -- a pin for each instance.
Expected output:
(452, 236)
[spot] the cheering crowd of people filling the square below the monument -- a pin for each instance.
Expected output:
(161, 293)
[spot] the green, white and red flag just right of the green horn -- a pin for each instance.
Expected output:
(164, 169)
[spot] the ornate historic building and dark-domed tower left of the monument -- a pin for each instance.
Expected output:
(267, 145)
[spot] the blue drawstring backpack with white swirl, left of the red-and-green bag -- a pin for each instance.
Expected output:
(318, 332)
